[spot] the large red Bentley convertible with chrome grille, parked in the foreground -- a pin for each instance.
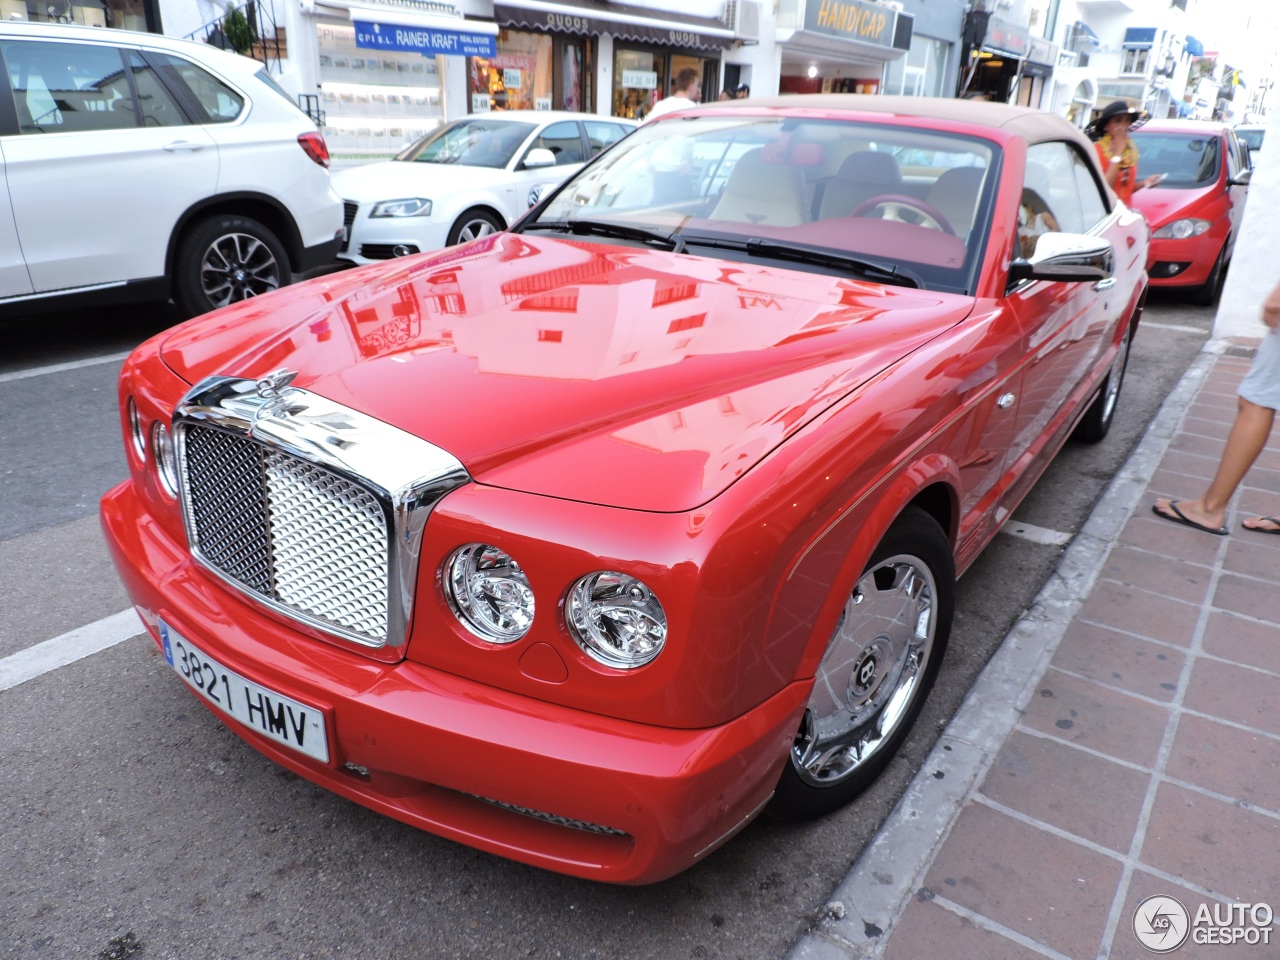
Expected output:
(587, 542)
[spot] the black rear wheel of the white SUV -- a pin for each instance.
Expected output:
(226, 259)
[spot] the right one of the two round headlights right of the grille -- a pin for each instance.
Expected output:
(616, 620)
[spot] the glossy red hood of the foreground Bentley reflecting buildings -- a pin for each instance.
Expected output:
(607, 374)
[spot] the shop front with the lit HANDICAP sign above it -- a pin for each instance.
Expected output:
(840, 47)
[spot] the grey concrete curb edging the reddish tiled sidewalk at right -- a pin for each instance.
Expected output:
(868, 903)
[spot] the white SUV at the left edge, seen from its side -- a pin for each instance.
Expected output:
(135, 167)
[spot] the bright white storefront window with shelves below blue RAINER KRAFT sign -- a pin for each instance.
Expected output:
(374, 102)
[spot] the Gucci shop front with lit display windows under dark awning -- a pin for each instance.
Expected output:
(595, 57)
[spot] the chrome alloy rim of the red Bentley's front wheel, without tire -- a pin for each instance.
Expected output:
(871, 674)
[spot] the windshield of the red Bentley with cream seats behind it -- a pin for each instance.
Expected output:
(824, 195)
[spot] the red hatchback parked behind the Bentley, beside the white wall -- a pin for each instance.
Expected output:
(1195, 213)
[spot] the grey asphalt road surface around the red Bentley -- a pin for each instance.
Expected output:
(136, 826)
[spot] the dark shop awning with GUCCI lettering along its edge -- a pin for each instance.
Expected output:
(636, 24)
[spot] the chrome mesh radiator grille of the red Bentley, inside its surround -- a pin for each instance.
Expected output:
(300, 537)
